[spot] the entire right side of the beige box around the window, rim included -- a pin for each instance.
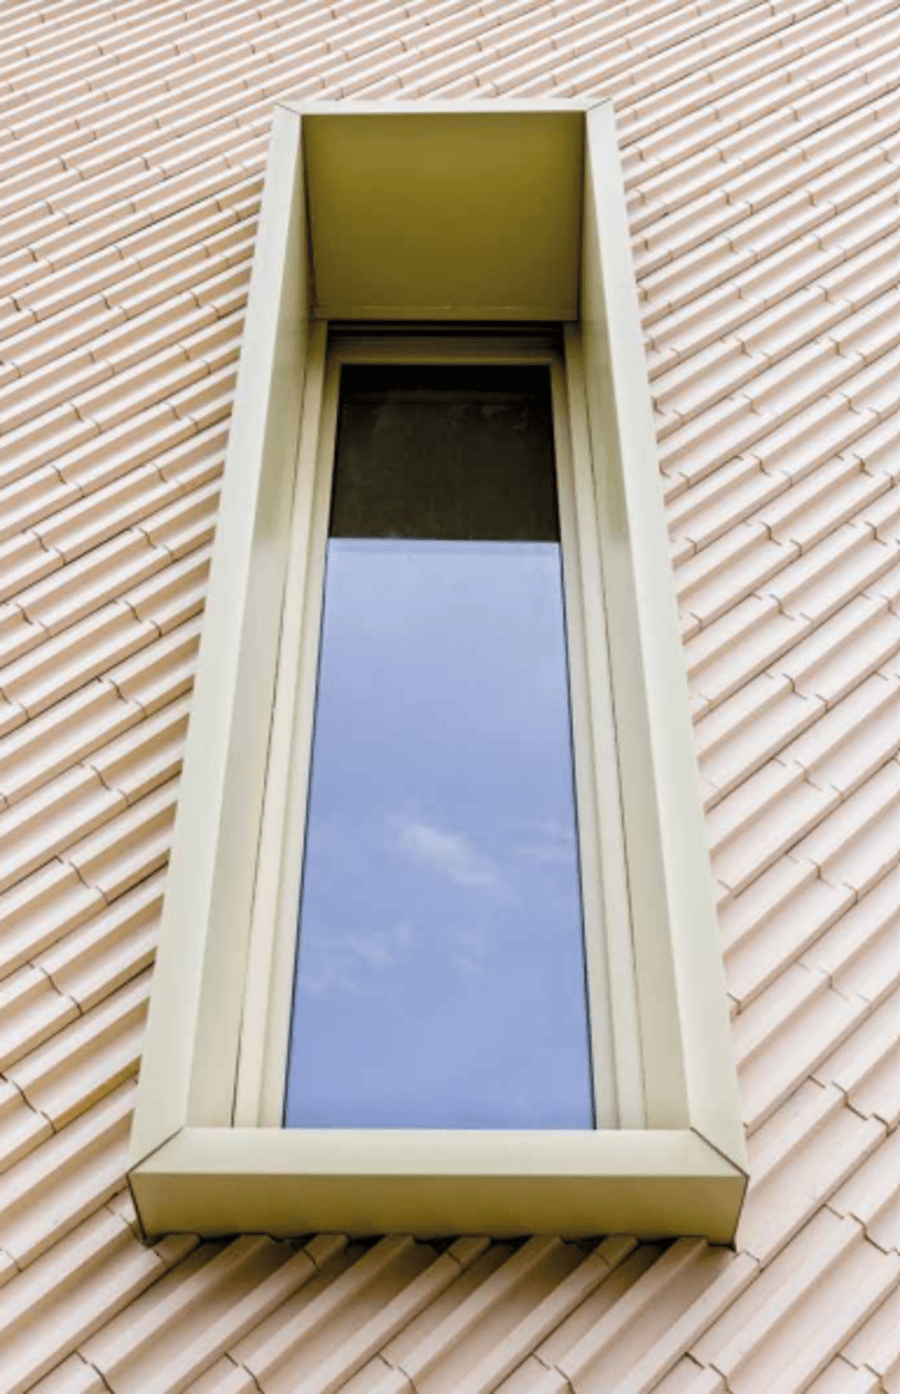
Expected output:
(689, 1055)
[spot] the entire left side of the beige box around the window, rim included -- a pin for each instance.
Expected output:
(190, 1052)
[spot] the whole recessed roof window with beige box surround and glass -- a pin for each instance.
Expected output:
(476, 257)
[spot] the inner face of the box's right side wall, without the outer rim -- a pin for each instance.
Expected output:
(626, 470)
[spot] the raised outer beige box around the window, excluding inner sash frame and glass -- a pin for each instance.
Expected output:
(197, 1167)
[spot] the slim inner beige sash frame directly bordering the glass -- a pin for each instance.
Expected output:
(265, 1027)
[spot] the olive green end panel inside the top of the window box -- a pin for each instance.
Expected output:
(430, 215)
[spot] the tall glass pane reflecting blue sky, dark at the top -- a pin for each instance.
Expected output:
(441, 976)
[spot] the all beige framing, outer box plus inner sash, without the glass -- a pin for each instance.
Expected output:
(458, 213)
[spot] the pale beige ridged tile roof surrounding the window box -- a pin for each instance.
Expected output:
(761, 141)
